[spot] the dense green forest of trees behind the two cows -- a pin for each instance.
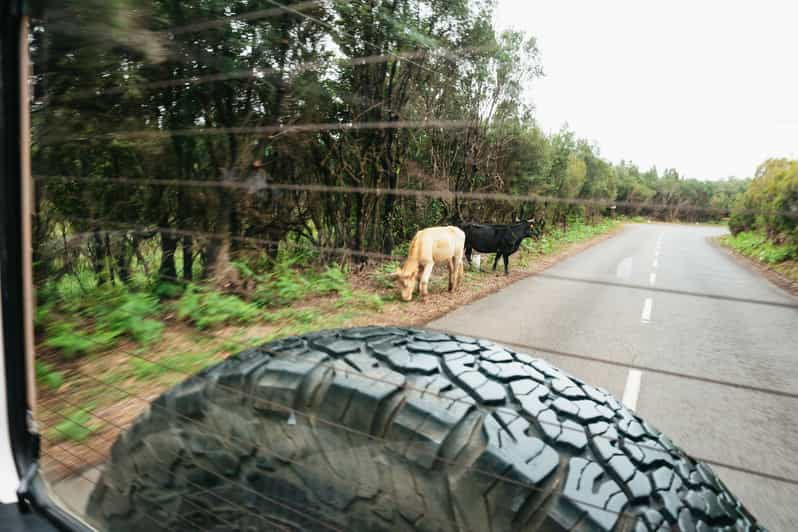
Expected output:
(210, 128)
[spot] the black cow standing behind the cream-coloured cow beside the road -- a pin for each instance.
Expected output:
(504, 240)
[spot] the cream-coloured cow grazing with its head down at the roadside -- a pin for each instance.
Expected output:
(434, 245)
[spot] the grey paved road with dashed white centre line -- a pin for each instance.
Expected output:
(751, 344)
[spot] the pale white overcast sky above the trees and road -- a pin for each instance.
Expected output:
(707, 87)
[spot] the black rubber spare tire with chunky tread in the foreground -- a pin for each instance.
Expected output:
(400, 429)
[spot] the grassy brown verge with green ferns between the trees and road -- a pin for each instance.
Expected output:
(92, 382)
